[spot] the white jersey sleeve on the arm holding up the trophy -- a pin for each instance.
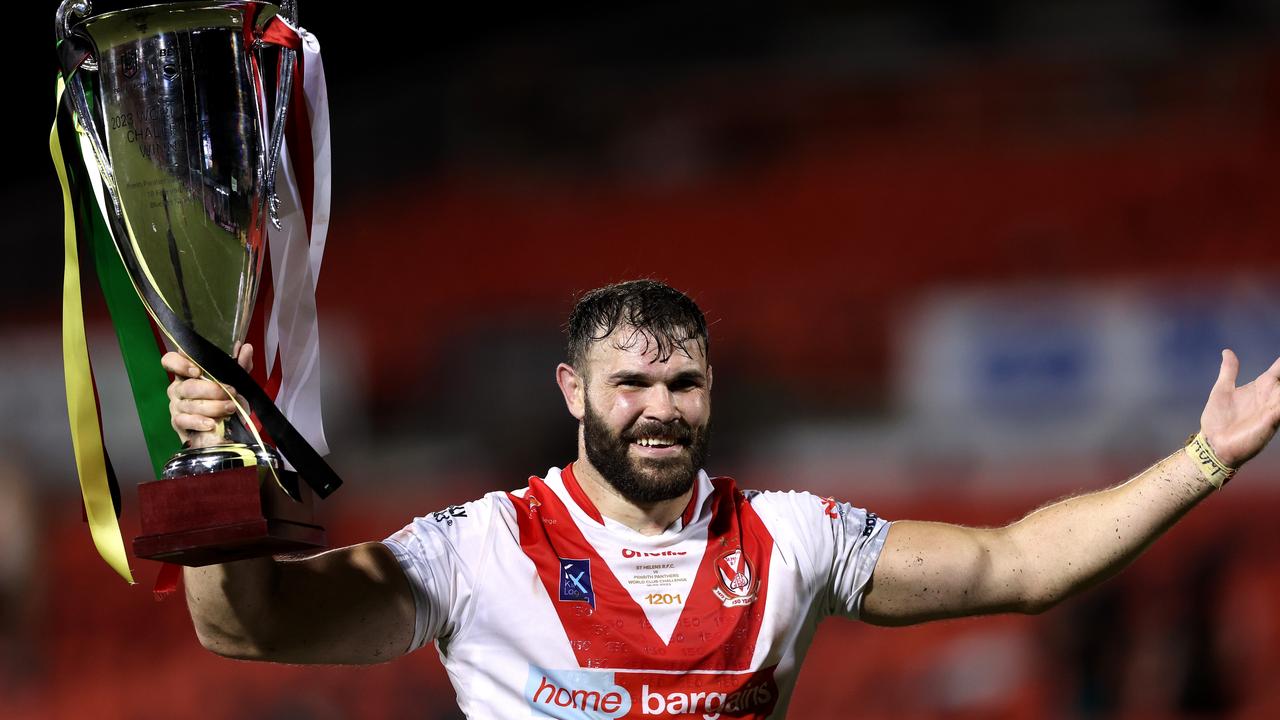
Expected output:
(444, 557)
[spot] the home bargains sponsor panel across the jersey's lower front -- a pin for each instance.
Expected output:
(591, 695)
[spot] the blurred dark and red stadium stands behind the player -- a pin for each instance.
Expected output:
(961, 259)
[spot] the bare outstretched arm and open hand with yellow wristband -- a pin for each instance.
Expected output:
(932, 571)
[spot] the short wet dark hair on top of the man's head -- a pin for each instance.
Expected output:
(659, 315)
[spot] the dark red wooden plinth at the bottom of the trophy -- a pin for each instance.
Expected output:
(225, 516)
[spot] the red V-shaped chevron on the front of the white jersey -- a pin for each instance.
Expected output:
(714, 634)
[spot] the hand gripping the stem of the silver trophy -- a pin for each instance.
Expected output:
(198, 405)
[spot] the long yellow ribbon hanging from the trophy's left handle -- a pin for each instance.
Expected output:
(81, 405)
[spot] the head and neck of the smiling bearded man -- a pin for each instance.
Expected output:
(646, 421)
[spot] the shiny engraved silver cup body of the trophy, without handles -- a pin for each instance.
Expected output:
(184, 136)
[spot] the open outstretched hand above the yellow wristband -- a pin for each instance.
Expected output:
(1238, 422)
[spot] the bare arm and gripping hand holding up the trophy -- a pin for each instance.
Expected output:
(351, 605)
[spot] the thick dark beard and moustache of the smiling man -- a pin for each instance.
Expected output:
(651, 480)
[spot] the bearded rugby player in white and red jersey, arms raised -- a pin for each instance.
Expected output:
(632, 585)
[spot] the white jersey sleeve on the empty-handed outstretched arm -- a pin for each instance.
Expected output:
(833, 544)
